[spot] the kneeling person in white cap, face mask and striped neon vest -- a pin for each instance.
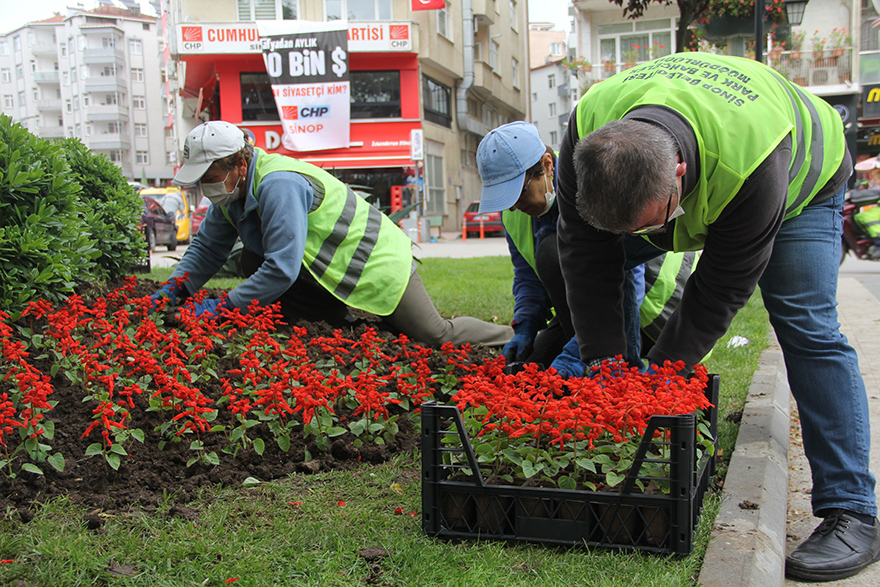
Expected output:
(309, 242)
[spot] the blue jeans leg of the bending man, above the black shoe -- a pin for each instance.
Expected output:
(799, 288)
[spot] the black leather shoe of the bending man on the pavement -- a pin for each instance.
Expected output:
(839, 547)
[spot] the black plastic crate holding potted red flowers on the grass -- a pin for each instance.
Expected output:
(652, 523)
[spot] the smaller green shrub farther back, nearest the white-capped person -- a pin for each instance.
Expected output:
(111, 210)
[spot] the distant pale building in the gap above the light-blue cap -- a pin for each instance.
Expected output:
(554, 87)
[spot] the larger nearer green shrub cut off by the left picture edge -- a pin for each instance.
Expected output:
(44, 247)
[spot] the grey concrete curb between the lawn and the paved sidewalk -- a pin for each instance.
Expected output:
(747, 547)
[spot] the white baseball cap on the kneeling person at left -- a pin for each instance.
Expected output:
(205, 144)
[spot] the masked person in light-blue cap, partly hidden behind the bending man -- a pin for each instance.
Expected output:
(518, 174)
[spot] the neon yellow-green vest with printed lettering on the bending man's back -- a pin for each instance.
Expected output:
(709, 91)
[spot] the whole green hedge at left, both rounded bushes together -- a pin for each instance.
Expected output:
(65, 217)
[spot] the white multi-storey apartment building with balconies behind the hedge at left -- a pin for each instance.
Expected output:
(94, 75)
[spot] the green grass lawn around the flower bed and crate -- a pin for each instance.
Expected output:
(295, 532)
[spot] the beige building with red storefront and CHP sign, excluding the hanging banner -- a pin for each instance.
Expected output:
(451, 75)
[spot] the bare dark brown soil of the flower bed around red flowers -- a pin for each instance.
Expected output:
(148, 474)
